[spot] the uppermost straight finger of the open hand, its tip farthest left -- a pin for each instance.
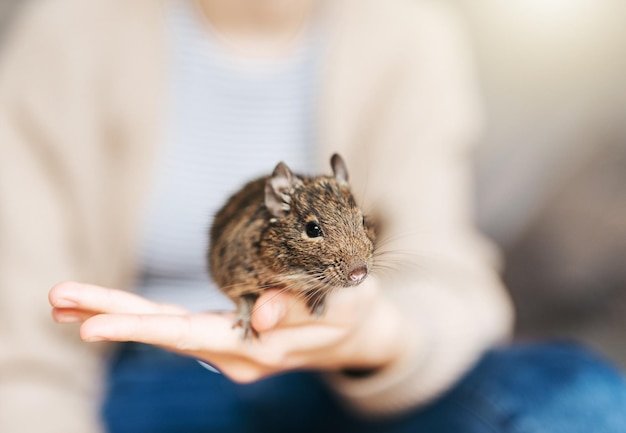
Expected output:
(93, 298)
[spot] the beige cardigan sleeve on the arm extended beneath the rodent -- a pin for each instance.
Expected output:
(418, 176)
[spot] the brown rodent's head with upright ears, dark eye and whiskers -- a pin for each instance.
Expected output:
(318, 237)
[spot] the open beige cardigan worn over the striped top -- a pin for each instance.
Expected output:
(80, 105)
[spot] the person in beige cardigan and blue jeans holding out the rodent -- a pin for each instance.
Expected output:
(118, 119)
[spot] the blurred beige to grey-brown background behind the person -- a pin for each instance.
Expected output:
(551, 166)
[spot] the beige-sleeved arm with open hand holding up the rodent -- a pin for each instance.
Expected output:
(417, 332)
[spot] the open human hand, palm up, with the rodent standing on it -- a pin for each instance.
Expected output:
(360, 329)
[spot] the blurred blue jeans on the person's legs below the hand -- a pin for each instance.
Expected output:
(535, 388)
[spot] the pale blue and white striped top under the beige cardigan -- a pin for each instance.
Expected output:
(230, 119)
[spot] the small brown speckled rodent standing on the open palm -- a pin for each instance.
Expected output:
(291, 232)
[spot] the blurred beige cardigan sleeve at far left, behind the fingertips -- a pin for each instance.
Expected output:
(49, 380)
